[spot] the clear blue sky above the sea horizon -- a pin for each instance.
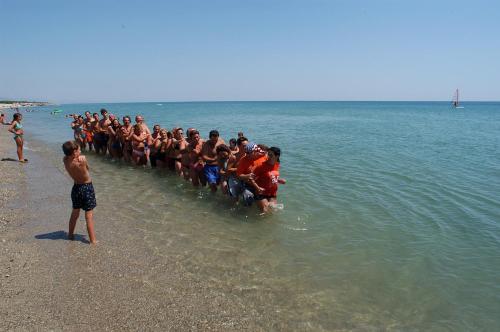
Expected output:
(98, 50)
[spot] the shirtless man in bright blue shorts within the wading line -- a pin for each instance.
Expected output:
(209, 155)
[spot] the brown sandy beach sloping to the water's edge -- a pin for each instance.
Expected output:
(50, 283)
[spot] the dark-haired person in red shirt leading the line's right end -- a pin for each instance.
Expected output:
(267, 177)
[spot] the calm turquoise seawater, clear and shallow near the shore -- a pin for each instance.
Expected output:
(390, 219)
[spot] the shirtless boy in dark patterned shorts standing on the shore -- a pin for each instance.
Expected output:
(82, 194)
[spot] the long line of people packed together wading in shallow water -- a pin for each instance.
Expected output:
(242, 169)
